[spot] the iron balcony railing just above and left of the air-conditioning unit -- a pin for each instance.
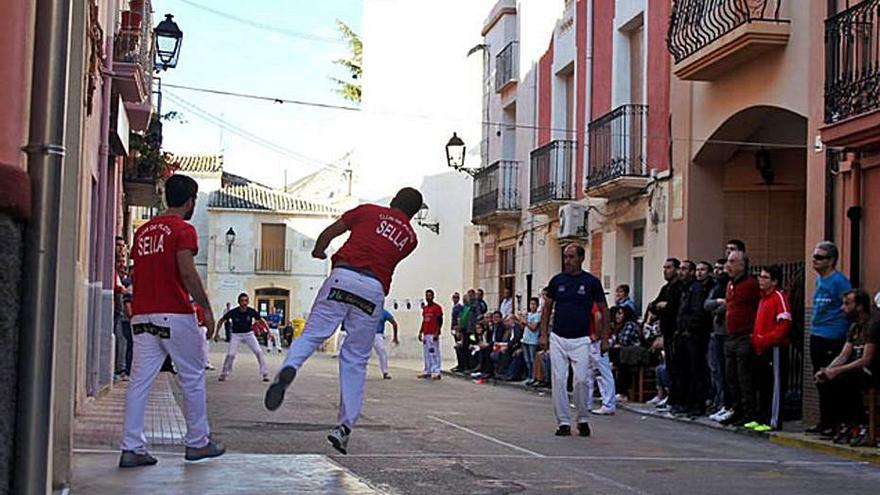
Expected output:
(551, 172)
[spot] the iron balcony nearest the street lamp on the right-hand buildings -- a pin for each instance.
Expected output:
(496, 193)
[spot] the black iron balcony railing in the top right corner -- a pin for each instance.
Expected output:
(852, 61)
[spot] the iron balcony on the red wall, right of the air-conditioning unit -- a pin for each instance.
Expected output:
(617, 165)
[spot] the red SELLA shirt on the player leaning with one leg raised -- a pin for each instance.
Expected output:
(380, 238)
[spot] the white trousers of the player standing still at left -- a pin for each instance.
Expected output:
(184, 345)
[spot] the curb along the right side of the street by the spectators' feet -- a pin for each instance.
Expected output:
(794, 440)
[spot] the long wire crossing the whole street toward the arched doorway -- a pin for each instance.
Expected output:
(498, 125)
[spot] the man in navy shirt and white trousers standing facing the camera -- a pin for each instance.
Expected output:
(573, 294)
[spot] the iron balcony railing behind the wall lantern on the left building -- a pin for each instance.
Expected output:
(133, 43)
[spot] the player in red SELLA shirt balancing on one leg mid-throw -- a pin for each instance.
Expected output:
(353, 295)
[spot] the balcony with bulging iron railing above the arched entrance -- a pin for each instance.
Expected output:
(708, 38)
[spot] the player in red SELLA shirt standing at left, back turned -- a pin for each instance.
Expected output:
(163, 323)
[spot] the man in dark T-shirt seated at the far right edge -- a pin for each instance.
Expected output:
(856, 368)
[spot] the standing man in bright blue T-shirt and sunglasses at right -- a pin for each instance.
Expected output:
(829, 326)
